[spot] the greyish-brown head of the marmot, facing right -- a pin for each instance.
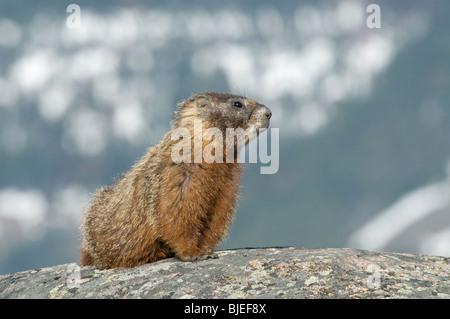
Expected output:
(223, 111)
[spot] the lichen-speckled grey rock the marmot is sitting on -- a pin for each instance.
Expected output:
(247, 273)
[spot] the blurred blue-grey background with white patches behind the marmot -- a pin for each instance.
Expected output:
(363, 115)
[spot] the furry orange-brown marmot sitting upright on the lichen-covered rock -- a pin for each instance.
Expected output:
(161, 208)
